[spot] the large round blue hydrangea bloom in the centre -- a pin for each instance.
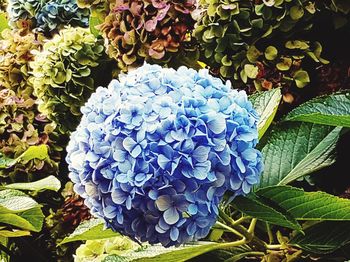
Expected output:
(156, 151)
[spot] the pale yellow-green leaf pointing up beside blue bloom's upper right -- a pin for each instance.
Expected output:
(266, 104)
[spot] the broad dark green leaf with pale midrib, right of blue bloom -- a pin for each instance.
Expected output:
(296, 149)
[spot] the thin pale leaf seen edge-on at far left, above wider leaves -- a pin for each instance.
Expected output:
(48, 183)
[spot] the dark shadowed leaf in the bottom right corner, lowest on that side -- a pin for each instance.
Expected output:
(324, 237)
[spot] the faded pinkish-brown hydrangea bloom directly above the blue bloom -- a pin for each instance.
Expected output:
(152, 31)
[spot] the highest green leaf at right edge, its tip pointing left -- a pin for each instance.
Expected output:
(331, 110)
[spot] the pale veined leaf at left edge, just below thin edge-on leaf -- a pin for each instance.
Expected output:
(14, 201)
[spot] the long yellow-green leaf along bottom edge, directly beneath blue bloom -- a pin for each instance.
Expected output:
(158, 253)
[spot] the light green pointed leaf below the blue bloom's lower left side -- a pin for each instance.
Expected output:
(90, 230)
